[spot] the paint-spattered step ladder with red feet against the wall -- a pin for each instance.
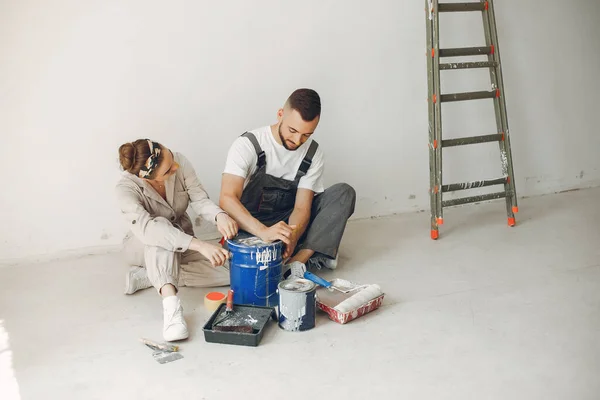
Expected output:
(435, 99)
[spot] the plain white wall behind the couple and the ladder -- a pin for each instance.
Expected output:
(80, 77)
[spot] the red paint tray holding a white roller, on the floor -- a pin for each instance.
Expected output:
(328, 300)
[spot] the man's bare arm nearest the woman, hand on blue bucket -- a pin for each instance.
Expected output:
(232, 187)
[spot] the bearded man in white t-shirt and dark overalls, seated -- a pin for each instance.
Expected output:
(273, 186)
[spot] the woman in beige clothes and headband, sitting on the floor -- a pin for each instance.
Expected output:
(154, 193)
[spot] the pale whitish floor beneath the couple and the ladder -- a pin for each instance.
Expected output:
(485, 312)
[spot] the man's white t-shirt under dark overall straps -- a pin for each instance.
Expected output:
(281, 162)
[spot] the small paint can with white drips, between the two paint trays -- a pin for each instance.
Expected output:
(297, 304)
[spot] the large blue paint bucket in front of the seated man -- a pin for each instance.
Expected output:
(255, 271)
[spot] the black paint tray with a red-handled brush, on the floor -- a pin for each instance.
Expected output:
(243, 315)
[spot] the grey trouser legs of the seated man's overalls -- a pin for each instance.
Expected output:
(328, 217)
